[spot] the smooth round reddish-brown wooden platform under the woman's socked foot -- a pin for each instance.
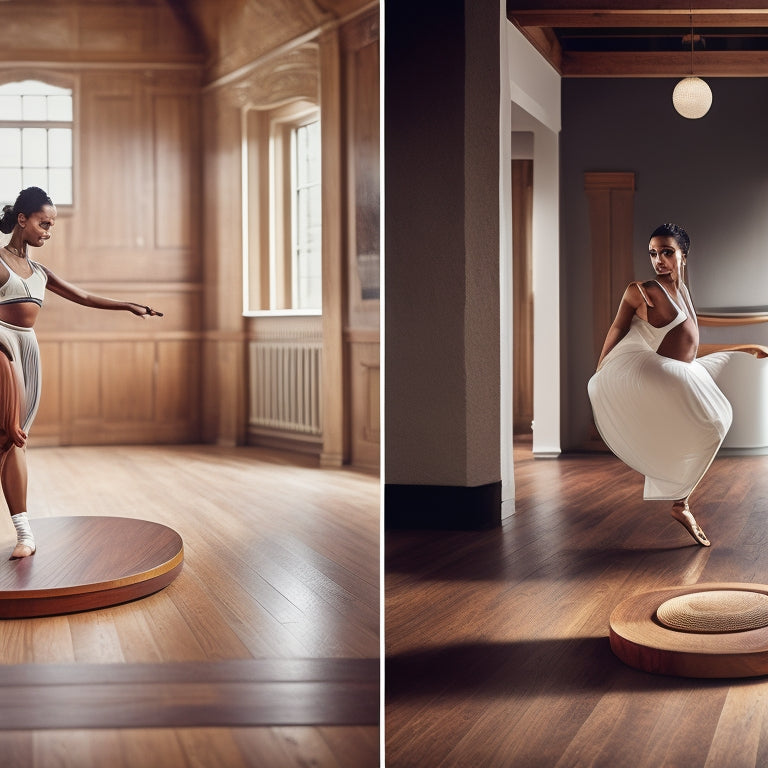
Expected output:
(83, 563)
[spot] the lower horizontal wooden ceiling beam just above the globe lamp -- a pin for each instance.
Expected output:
(657, 64)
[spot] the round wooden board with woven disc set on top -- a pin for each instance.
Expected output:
(702, 630)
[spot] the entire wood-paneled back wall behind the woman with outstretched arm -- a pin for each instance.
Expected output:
(132, 234)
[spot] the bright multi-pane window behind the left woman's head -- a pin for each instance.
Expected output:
(35, 140)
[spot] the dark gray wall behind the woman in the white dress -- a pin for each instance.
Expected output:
(708, 175)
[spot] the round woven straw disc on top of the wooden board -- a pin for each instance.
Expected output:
(715, 611)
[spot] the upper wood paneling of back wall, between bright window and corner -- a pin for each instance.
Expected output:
(141, 171)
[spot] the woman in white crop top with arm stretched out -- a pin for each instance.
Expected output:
(30, 221)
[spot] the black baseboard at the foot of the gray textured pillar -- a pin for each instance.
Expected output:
(442, 507)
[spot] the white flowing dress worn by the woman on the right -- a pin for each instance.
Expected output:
(664, 418)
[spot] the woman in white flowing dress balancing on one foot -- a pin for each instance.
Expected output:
(655, 405)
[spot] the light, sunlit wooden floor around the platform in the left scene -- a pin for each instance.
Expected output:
(263, 652)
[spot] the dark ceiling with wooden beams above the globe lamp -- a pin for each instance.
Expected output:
(637, 39)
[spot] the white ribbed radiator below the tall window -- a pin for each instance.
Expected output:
(285, 386)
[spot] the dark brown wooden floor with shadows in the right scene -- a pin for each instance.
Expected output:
(497, 641)
